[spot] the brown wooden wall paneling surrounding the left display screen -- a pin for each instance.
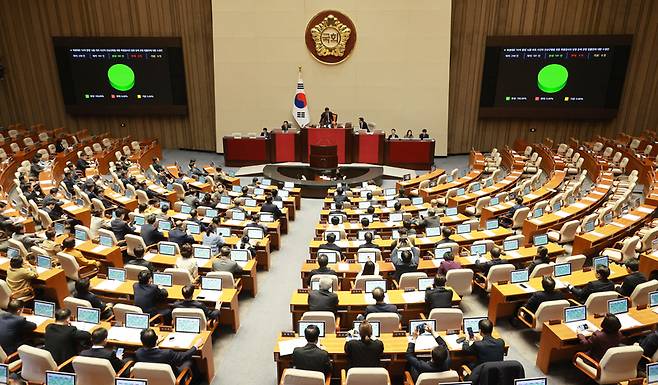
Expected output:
(31, 90)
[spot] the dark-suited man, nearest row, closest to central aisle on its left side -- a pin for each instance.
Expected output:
(150, 353)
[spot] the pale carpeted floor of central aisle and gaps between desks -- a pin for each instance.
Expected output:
(247, 356)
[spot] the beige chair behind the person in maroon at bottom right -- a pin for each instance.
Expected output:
(618, 364)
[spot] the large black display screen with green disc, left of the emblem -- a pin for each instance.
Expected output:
(109, 75)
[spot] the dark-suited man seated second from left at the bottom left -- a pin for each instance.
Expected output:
(63, 340)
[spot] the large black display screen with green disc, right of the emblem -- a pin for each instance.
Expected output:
(554, 77)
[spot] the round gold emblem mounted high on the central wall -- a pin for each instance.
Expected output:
(330, 37)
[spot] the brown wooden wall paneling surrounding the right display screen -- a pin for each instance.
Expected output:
(473, 20)
